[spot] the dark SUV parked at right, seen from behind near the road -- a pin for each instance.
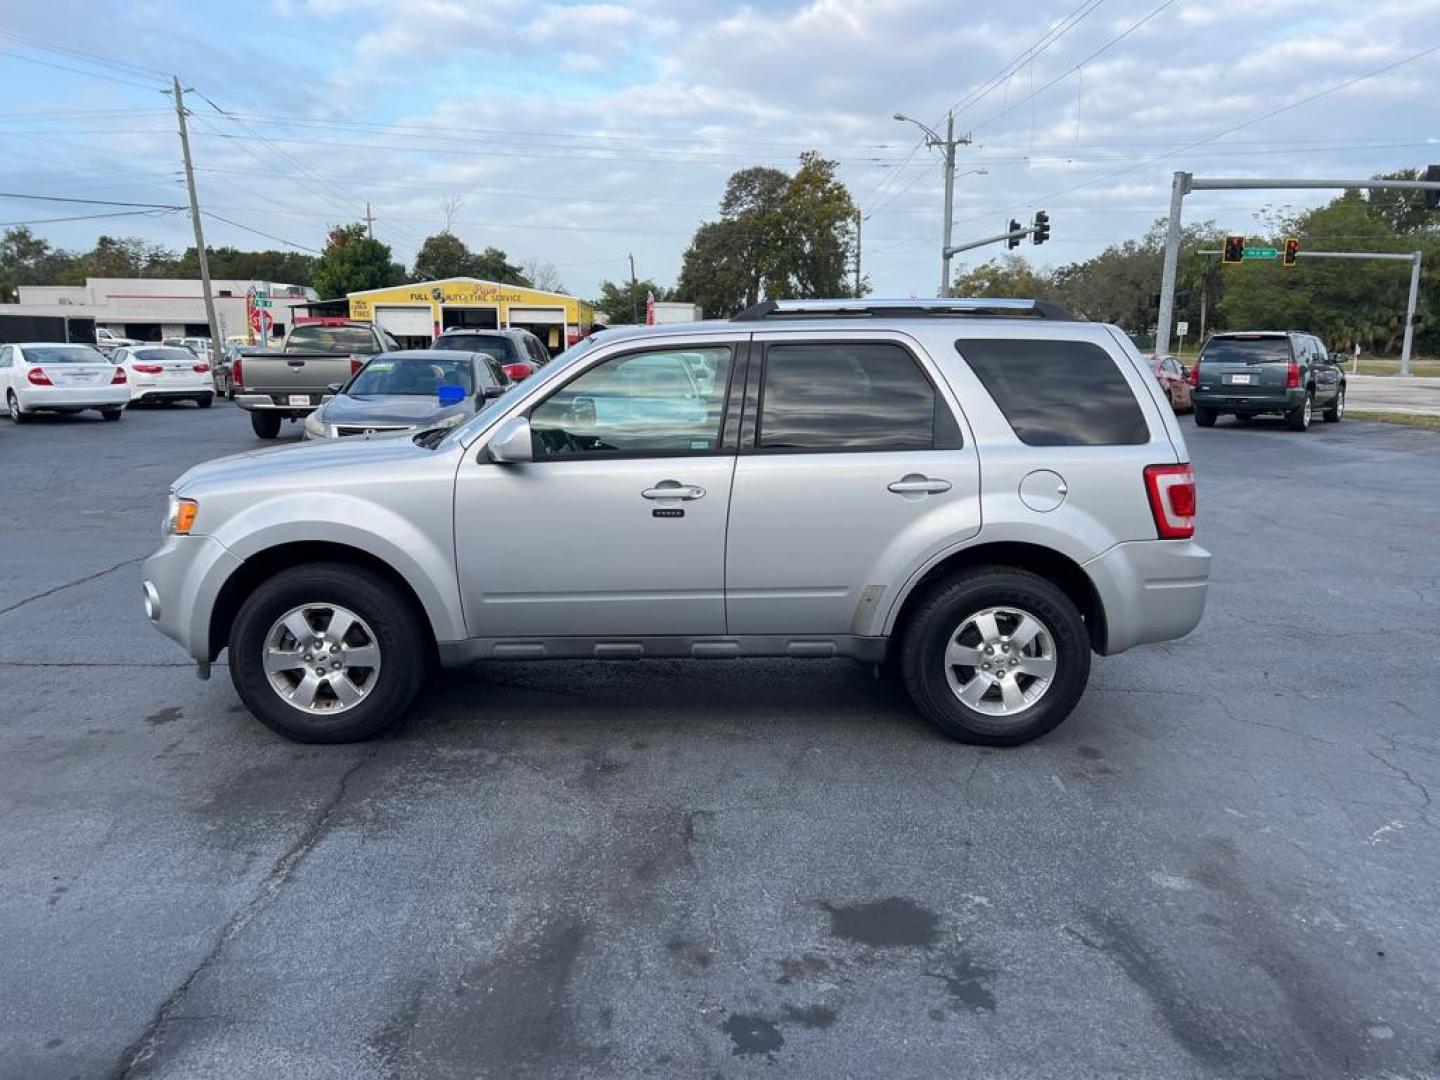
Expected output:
(1266, 372)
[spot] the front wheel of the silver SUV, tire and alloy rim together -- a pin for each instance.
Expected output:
(328, 653)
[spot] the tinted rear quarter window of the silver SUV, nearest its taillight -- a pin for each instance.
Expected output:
(1058, 394)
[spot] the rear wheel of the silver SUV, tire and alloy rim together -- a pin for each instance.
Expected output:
(996, 656)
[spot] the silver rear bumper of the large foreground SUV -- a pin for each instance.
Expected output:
(1151, 591)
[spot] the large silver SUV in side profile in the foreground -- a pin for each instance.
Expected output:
(974, 493)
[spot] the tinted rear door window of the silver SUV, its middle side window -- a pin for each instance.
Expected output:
(847, 398)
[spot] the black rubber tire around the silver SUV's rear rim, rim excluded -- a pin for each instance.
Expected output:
(941, 616)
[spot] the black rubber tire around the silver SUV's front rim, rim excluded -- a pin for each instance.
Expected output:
(398, 633)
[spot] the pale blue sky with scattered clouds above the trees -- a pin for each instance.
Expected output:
(580, 133)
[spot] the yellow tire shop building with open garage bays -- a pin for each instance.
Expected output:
(418, 313)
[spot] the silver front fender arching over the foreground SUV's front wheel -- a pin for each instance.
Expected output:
(421, 551)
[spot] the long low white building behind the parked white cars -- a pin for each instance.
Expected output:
(152, 309)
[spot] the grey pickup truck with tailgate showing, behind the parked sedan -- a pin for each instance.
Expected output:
(290, 384)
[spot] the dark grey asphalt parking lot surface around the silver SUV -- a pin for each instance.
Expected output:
(1225, 865)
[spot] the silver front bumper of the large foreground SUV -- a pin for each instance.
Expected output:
(181, 584)
